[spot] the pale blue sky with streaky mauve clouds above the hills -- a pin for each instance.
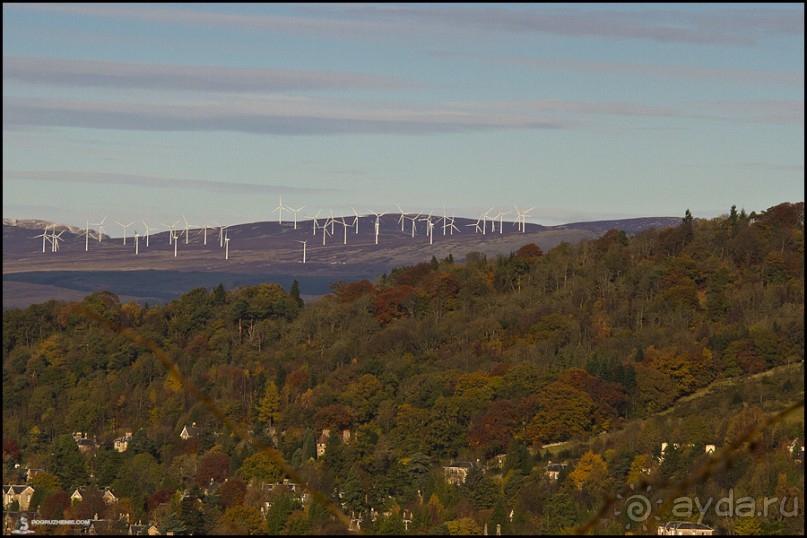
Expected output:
(222, 112)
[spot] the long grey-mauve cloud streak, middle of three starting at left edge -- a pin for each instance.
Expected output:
(261, 115)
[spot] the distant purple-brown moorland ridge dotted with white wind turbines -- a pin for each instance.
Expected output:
(259, 251)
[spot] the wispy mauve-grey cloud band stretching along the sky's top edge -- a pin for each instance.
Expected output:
(716, 25)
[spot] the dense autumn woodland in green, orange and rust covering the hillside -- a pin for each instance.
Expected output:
(445, 361)
